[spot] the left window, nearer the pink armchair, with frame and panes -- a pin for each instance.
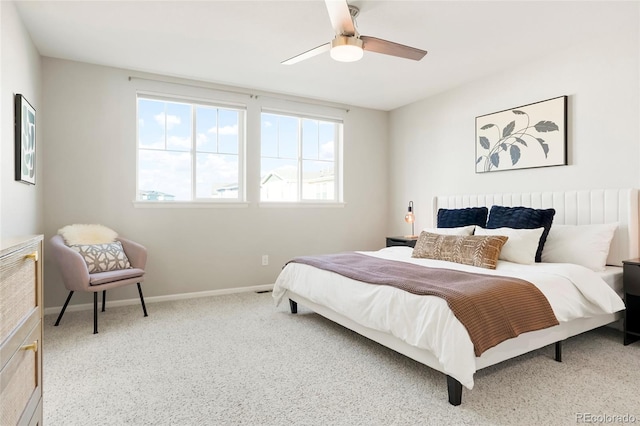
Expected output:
(189, 151)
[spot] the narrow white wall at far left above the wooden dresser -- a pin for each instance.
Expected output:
(20, 204)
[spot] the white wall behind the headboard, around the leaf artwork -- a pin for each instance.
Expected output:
(432, 149)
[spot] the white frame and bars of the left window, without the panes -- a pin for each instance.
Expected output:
(239, 201)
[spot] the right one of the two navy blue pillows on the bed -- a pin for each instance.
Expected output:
(522, 218)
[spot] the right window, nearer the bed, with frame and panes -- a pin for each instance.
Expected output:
(299, 158)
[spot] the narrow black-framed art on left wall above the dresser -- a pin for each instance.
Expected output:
(25, 143)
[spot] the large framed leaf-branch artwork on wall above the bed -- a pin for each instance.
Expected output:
(528, 136)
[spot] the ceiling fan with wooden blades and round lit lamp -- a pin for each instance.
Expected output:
(348, 45)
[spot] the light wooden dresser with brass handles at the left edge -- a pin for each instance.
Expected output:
(21, 331)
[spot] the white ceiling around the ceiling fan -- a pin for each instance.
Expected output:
(242, 43)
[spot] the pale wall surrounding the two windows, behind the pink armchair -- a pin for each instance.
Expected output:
(91, 170)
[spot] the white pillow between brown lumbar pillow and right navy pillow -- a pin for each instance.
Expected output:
(521, 246)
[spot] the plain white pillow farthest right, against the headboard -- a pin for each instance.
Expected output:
(586, 245)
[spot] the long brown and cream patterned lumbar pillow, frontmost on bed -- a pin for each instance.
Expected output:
(475, 250)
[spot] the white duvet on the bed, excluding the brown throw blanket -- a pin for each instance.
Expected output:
(426, 321)
